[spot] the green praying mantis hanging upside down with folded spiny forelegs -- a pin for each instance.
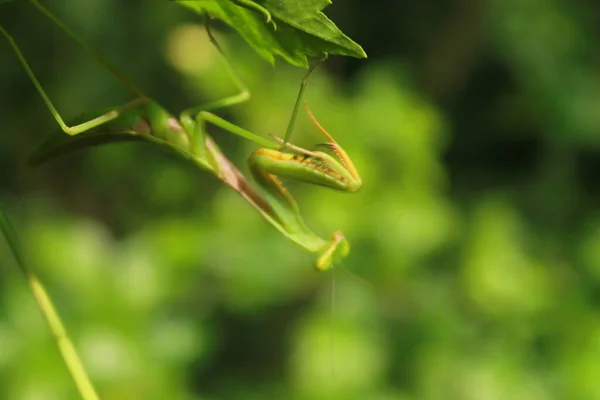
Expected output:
(142, 119)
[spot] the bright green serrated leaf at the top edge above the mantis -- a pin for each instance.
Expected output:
(302, 29)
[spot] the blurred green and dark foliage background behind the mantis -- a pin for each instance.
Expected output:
(476, 128)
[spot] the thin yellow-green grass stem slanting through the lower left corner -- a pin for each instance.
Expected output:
(65, 346)
